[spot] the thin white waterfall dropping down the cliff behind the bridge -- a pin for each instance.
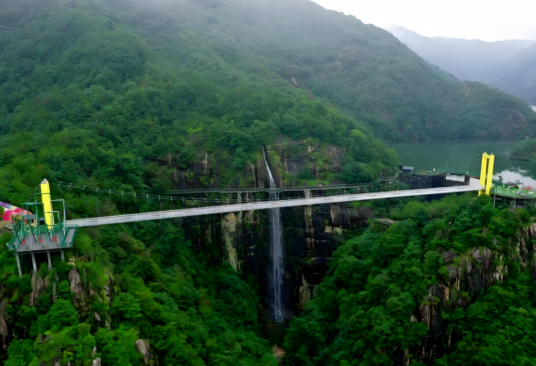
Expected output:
(276, 251)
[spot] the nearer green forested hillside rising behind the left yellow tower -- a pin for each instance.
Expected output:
(90, 93)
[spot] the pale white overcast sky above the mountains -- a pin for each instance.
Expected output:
(489, 20)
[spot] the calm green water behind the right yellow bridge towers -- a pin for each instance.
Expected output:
(455, 155)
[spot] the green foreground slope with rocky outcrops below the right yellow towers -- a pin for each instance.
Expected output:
(450, 283)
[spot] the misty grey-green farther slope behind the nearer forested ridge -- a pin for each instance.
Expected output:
(362, 69)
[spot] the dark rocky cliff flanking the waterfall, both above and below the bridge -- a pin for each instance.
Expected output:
(311, 234)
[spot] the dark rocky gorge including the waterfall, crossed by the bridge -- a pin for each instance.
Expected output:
(309, 234)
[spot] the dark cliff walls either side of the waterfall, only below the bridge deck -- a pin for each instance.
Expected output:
(311, 235)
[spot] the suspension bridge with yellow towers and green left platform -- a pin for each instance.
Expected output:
(40, 228)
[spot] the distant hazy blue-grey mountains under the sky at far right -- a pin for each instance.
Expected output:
(508, 65)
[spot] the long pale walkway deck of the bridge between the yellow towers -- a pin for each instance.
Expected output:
(150, 216)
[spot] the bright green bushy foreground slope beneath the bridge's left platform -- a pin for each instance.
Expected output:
(140, 282)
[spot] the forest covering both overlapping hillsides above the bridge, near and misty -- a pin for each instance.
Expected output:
(124, 93)
